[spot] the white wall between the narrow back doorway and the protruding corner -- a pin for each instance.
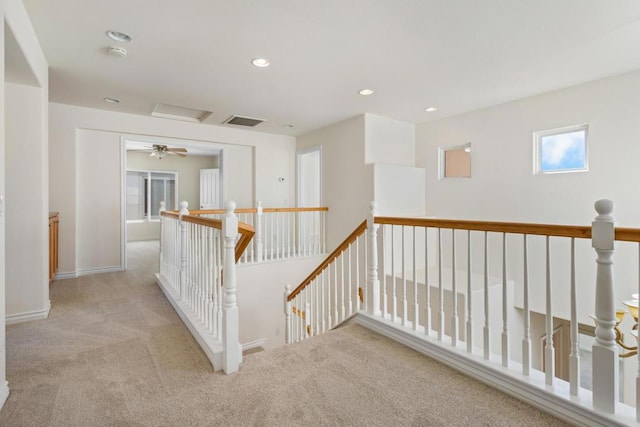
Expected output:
(347, 183)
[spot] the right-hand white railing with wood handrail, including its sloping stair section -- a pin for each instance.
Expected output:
(487, 299)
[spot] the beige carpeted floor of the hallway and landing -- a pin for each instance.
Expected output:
(113, 353)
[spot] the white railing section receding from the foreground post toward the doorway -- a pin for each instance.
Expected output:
(197, 274)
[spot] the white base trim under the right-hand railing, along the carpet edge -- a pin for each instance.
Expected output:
(554, 399)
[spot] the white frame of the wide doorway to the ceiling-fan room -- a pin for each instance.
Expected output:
(128, 139)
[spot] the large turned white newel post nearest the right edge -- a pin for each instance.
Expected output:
(605, 351)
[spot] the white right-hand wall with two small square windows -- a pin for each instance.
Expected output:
(503, 186)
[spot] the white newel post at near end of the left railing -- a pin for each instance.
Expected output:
(232, 354)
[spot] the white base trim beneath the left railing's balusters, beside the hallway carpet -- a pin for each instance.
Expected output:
(211, 347)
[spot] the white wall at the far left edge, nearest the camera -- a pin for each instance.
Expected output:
(18, 27)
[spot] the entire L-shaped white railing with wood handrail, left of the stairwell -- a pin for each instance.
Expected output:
(199, 251)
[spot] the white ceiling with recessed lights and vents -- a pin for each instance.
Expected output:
(457, 55)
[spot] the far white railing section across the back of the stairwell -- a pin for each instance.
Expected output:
(280, 233)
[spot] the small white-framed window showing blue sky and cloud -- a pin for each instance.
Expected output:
(561, 150)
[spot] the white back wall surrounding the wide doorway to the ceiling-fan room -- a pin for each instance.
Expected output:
(253, 161)
